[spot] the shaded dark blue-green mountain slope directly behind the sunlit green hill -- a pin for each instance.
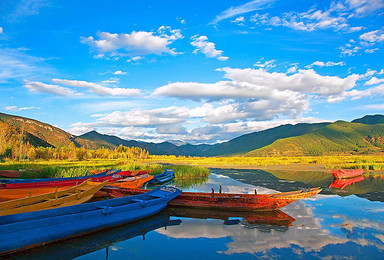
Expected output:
(256, 140)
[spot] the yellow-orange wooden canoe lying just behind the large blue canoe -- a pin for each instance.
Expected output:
(68, 197)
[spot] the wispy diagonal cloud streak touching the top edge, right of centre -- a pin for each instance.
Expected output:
(242, 9)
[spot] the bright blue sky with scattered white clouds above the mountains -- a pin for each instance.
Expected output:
(192, 71)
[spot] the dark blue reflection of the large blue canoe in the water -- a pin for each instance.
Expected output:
(72, 248)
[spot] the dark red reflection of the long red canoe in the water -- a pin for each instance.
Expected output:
(273, 217)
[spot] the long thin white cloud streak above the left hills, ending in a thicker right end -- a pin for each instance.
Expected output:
(98, 89)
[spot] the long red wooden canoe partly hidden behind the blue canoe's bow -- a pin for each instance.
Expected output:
(228, 201)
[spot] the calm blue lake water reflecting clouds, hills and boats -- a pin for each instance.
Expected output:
(336, 224)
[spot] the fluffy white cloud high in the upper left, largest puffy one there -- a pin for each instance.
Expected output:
(134, 43)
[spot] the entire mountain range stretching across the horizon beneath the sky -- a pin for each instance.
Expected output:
(361, 136)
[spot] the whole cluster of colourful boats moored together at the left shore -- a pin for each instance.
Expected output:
(40, 211)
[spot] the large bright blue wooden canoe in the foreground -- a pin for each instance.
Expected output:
(26, 230)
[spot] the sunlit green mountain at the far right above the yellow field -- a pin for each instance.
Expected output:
(339, 138)
